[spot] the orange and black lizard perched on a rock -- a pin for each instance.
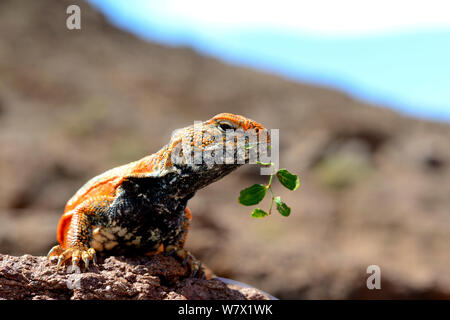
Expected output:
(141, 207)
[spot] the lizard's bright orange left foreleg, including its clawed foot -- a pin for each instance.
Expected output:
(77, 233)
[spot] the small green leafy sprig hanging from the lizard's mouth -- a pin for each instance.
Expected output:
(254, 194)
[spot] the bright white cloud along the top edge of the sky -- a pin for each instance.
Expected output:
(314, 16)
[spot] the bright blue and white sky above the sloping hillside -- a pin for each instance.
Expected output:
(394, 53)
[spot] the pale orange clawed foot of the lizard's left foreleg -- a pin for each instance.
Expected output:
(75, 253)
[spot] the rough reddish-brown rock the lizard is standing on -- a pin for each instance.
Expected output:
(157, 277)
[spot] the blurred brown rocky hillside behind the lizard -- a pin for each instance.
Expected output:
(375, 185)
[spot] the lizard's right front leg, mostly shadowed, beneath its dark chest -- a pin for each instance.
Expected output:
(195, 266)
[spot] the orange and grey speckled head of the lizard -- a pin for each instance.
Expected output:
(206, 151)
